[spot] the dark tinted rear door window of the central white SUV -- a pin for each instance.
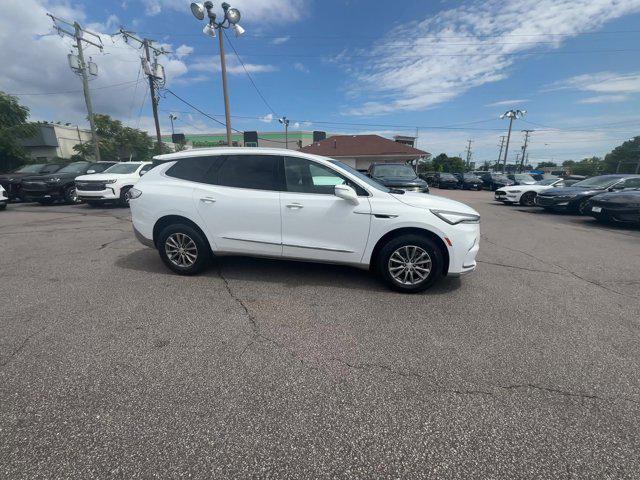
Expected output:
(257, 172)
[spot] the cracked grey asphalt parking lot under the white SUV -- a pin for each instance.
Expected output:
(113, 367)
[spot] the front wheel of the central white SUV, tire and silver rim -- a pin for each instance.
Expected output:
(403, 247)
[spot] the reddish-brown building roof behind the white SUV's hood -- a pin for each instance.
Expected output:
(360, 145)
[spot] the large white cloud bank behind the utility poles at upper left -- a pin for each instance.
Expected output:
(41, 67)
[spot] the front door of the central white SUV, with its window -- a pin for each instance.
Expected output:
(315, 223)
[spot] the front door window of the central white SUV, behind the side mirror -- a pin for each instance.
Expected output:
(305, 176)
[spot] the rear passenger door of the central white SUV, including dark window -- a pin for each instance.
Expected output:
(240, 204)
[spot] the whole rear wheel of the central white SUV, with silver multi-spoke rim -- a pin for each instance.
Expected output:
(183, 249)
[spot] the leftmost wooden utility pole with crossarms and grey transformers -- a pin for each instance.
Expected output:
(79, 65)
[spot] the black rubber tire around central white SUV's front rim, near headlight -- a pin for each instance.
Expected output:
(383, 262)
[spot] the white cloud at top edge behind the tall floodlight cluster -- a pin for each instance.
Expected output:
(253, 11)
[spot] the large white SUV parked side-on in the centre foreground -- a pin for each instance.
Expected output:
(292, 205)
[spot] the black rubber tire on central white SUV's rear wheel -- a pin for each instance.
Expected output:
(202, 252)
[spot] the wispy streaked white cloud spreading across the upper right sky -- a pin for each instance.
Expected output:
(461, 48)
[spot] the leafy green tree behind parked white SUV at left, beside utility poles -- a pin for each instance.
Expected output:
(117, 142)
